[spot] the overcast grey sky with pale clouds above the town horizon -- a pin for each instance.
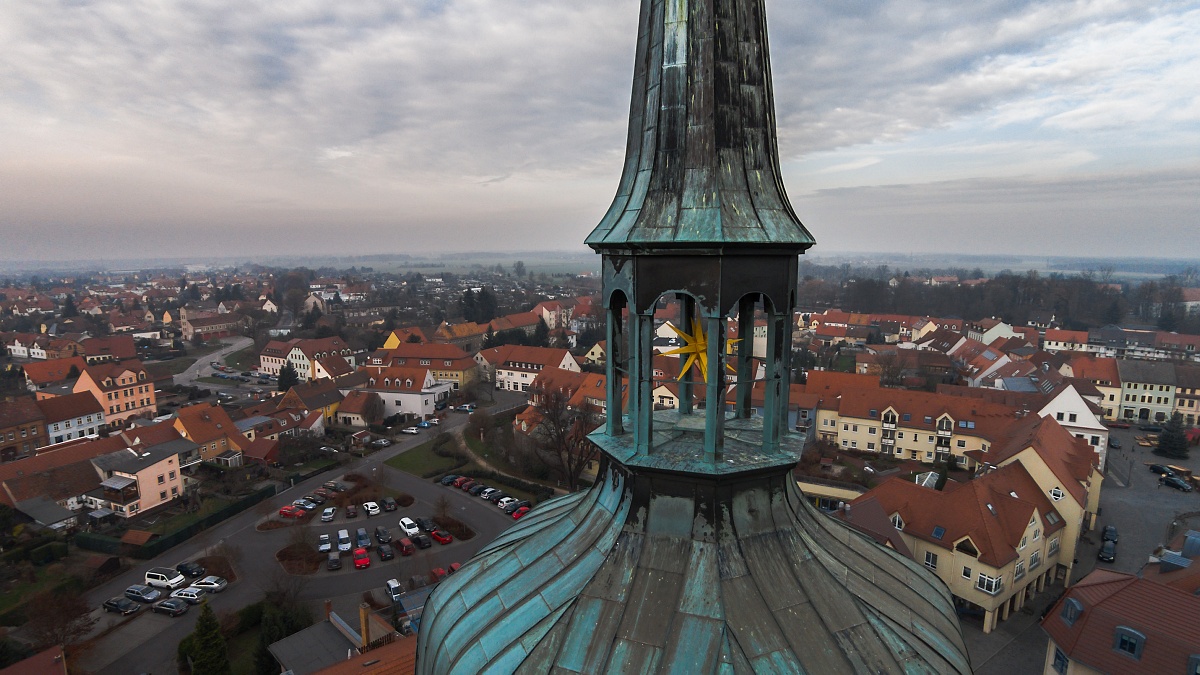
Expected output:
(209, 127)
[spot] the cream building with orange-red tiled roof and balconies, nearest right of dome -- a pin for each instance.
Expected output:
(994, 541)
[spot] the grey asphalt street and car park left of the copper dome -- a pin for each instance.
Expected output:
(147, 643)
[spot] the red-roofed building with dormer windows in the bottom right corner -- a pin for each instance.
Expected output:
(1117, 623)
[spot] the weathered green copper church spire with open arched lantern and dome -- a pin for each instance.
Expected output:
(695, 552)
